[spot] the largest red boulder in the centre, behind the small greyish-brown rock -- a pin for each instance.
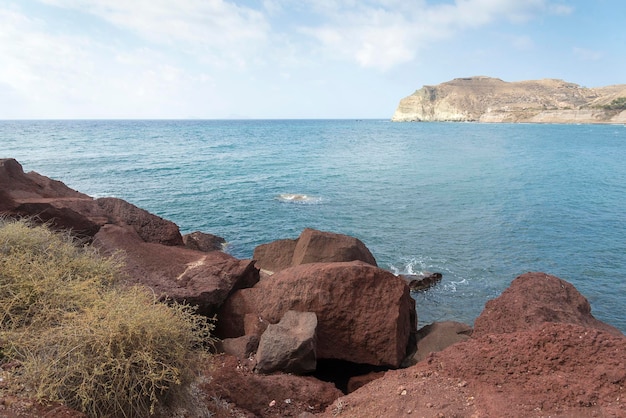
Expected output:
(365, 314)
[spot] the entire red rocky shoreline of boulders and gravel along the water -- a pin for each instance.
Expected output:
(311, 326)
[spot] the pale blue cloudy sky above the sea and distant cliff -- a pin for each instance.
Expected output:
(287, 59)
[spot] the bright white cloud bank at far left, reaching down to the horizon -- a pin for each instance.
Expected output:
(59, 75)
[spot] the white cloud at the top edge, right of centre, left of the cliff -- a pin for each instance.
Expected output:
(385, 33)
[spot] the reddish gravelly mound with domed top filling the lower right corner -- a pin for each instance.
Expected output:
(559, 362)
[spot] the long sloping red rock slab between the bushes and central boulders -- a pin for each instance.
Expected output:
(202, 279)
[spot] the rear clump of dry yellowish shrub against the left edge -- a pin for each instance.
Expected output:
(46, 275)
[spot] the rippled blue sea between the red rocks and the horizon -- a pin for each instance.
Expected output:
(480, 203)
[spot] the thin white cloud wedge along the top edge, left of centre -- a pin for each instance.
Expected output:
(220, 30)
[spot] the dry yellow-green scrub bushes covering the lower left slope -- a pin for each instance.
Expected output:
(82, 340)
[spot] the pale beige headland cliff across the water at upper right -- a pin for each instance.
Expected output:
(486, 99)
